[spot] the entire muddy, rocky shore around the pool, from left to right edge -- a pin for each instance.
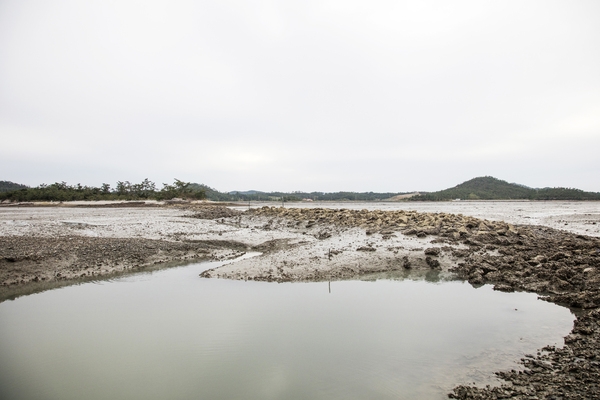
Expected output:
(44, 246)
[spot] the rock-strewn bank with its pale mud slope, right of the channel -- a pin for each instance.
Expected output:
(562, 267)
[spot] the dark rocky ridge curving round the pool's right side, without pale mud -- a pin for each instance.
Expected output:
(561, 267)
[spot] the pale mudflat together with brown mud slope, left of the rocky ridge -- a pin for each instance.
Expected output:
(46, 247)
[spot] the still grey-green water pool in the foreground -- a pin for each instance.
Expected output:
(172, 335)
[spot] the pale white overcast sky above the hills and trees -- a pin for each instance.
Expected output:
(301, 95)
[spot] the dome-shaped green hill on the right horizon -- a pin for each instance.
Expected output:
(490, 188)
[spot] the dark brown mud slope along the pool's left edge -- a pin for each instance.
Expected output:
(29, 264)
